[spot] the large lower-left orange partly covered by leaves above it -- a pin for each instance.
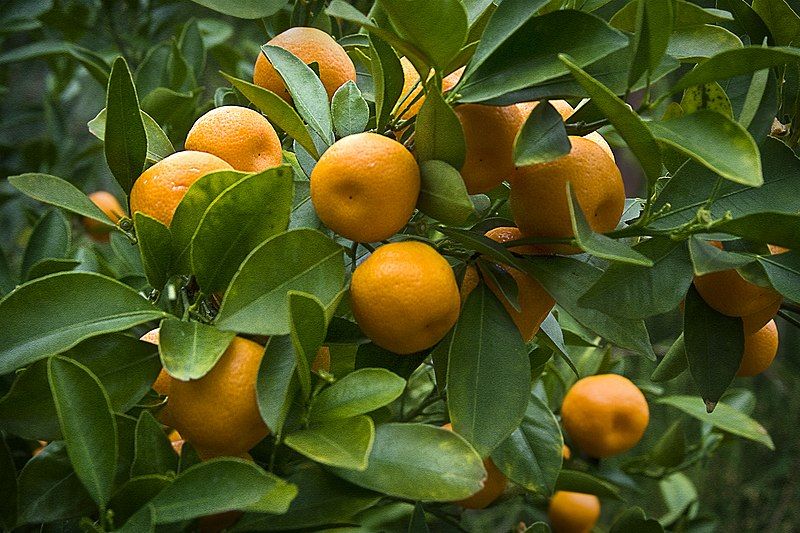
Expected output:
(218, 413)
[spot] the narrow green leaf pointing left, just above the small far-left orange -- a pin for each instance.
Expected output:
(58, 192)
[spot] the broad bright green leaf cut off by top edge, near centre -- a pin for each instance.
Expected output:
(438, 29)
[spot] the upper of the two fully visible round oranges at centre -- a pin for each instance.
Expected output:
(365, 187)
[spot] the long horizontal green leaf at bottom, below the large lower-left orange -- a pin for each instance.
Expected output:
(221, 485)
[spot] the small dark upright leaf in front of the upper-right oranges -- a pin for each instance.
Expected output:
(542, 138)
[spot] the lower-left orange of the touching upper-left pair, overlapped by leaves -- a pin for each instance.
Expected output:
(160, 188)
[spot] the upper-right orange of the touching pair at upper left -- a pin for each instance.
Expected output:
(243, 138)
